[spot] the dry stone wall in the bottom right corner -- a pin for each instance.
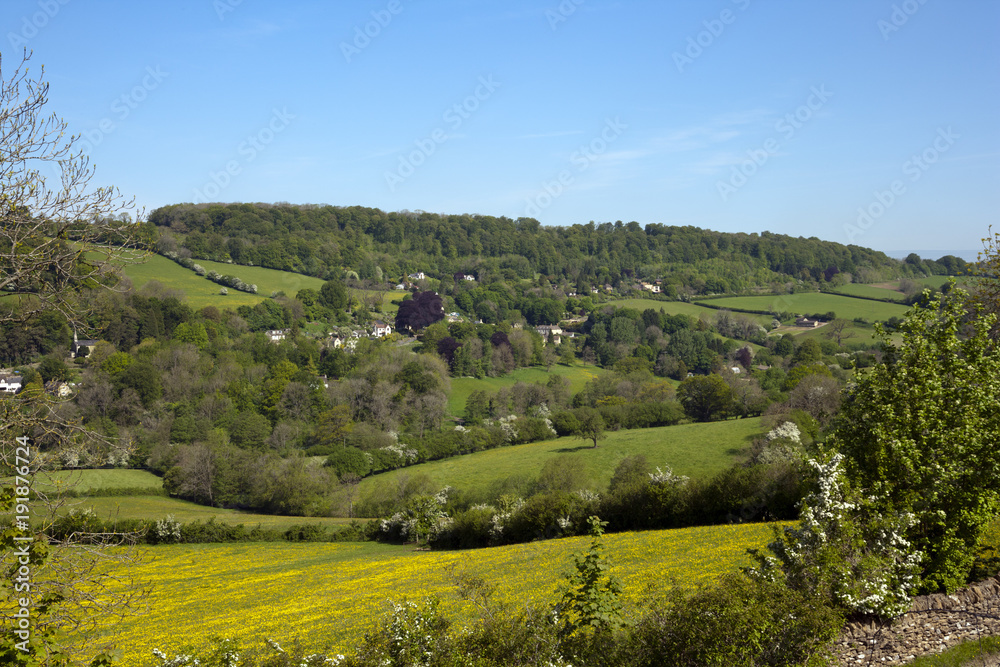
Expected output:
(934, 623)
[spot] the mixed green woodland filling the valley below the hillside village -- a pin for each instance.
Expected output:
(226, 414)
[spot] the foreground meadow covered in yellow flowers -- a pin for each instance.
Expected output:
(329, 594)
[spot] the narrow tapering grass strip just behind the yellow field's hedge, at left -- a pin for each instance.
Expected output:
(158, 507)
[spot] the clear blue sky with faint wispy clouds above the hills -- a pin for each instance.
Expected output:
(870, 122)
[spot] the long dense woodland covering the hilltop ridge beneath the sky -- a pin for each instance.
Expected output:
(324, 241)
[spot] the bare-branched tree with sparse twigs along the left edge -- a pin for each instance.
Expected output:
(59, 238)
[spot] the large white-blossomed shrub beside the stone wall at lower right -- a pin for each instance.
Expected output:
(845, 551)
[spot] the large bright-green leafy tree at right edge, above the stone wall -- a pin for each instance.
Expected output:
(921, 430)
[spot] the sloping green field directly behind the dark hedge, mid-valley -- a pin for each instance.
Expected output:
(695, 450)
